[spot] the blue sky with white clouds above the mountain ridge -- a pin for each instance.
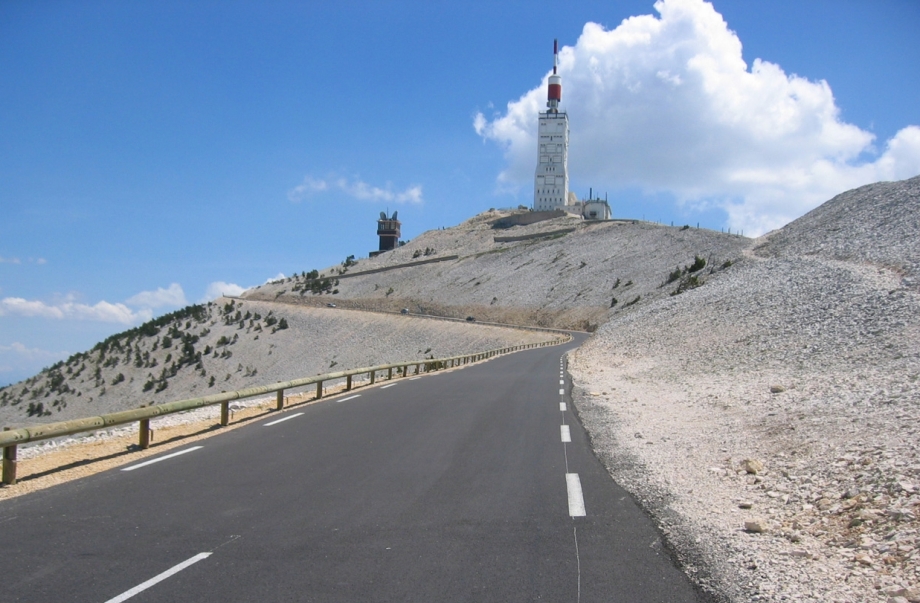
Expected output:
(153, 154)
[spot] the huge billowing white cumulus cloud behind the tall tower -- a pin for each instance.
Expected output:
(667, 104)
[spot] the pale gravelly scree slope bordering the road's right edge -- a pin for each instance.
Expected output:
(770, 420)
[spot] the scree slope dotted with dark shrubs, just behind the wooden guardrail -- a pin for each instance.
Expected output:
(232, 344)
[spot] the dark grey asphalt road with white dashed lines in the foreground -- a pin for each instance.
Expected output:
(475, 484)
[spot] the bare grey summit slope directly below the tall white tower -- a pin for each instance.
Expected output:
(572, 275)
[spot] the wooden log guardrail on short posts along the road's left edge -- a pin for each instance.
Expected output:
(11, 438)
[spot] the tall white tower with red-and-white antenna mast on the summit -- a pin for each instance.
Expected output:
(551, 184)
